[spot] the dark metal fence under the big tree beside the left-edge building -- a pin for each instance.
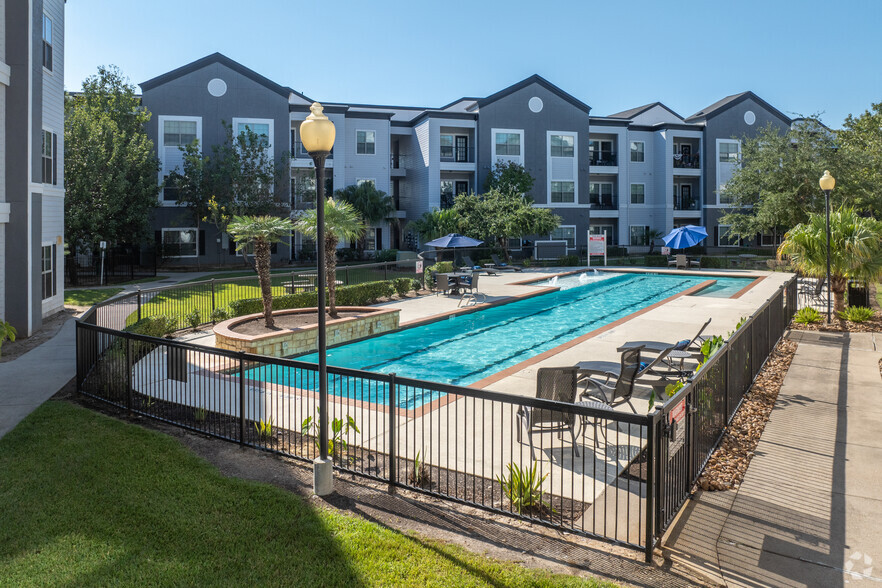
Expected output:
(119, 265)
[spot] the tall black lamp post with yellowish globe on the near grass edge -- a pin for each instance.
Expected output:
(317, 134)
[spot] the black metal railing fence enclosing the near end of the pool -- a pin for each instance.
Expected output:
(611, 475)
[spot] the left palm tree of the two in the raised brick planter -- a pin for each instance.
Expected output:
(261, 232)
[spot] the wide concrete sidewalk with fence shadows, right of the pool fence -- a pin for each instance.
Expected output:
(809, 511)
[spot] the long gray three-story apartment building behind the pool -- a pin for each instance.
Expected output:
(626, 174)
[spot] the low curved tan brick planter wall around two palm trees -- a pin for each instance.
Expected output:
(370, 321)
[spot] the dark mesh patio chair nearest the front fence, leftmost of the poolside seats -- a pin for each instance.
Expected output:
(551, 384)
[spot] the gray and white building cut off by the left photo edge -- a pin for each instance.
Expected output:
(31, 162)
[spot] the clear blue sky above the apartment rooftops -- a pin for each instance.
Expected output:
(803, 56)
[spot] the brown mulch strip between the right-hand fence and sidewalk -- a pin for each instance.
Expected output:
(726, 467)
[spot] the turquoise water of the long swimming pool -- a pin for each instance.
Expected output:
(466, 348)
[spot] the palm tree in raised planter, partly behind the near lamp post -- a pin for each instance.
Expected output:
(342, 222)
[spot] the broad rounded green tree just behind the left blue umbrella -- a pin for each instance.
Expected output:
(498, 216)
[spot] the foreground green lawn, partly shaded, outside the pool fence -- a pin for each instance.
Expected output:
(89, 500)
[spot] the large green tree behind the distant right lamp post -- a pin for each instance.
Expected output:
(776, 186)
